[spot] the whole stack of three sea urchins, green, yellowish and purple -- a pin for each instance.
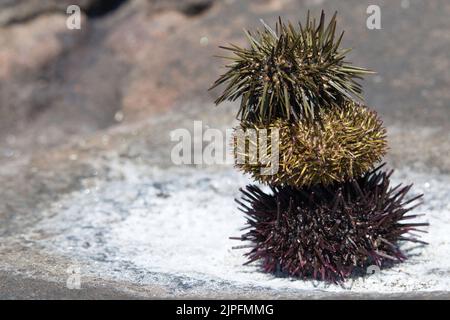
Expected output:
(329, 210)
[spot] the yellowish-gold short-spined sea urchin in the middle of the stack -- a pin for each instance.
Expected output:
(348, 143)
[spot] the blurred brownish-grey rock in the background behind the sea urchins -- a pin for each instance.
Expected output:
(136, 59)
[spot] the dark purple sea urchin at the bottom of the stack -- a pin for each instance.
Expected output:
(325, 232)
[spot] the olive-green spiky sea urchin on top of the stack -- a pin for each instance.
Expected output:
(290, 73)
